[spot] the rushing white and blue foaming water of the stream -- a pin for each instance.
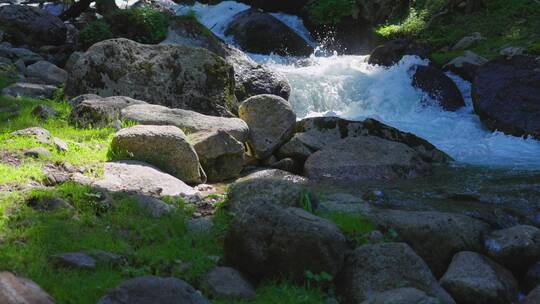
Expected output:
(348, 87)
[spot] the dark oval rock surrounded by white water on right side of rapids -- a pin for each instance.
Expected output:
(438, 87)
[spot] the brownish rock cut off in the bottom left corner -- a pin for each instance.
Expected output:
(19, 290)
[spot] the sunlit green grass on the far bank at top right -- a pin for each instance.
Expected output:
(502, 22)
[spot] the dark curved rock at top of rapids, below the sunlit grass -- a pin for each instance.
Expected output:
(392, 52)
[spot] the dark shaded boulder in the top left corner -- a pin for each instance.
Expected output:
(29, 25)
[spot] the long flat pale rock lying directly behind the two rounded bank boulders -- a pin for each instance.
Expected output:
(189, 121)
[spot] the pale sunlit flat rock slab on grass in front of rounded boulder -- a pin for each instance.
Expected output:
(139, 177)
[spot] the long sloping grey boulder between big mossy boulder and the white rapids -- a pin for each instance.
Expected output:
(251, 78)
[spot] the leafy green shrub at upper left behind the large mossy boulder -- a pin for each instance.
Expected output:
(144, 25)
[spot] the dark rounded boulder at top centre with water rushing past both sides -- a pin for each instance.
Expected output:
(262, 33)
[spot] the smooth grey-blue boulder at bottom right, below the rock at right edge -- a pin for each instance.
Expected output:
(475, 279)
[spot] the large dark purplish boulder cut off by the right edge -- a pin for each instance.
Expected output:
(506, 95)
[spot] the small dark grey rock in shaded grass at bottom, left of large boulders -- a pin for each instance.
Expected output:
(228, 283)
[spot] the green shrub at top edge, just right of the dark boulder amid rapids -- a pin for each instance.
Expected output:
(332, 12)
